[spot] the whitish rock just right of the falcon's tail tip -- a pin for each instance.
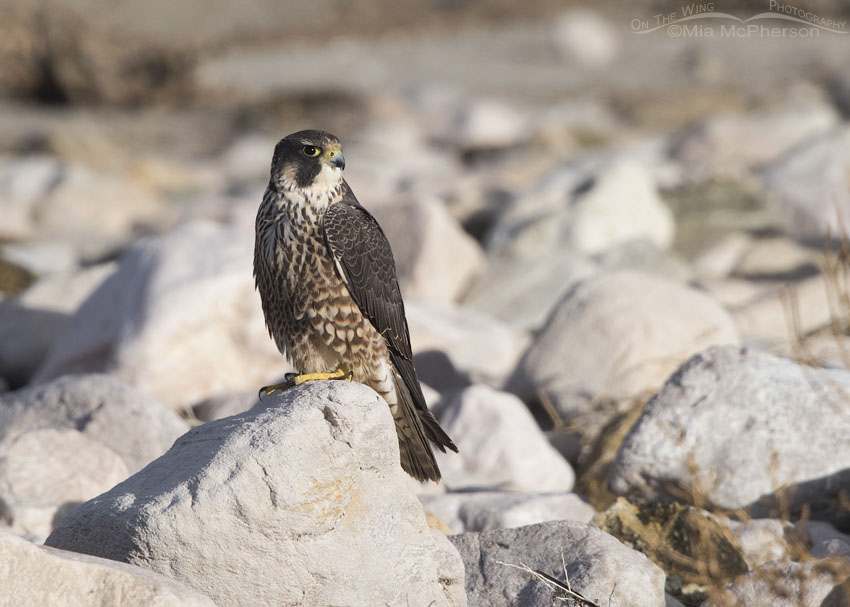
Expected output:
(490, 429)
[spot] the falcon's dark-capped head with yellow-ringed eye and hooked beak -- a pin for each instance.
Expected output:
(307, 160)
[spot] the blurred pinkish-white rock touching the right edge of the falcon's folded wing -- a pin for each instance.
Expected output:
(435, 259)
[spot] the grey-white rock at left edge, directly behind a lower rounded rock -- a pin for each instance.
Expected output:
(130, 422)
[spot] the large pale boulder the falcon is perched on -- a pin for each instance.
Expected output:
(300, 500)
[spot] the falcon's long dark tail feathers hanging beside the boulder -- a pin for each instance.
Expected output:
(417, 428)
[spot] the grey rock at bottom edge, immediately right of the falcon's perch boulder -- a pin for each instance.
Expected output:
(600, 568)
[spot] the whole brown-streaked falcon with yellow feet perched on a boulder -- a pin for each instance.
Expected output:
(331, 300)
